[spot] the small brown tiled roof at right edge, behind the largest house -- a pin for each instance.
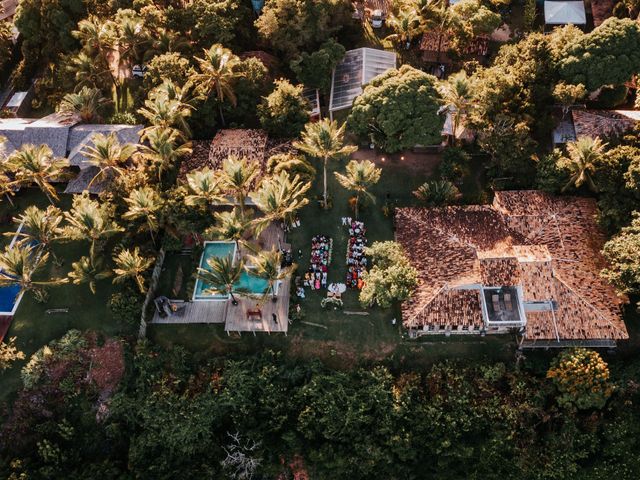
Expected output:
(603, 123)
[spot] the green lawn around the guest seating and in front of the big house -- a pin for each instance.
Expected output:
(333, 335)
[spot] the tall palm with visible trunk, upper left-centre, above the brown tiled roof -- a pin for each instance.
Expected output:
(218, 73)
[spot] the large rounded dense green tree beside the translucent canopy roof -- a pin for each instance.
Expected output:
(398, 110)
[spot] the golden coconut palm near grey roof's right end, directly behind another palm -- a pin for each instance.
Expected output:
(168, 106)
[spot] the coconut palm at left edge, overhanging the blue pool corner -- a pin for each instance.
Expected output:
(19, 264)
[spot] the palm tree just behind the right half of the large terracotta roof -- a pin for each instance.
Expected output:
(583, 155)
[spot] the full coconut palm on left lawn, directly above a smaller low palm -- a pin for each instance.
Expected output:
(90, 221)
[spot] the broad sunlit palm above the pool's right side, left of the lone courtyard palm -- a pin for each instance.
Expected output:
(279, 198)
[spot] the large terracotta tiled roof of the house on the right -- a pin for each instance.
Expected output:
(550, 246)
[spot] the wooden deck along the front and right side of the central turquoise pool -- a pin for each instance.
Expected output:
(234, 317)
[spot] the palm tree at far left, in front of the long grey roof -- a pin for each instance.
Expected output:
(40, 227)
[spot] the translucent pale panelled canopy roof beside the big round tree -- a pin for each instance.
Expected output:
(357, 69)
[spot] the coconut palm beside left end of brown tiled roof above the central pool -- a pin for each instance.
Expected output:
(162, 150)
